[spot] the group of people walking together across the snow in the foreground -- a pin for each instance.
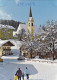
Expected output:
(20, 74)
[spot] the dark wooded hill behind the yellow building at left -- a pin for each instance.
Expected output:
(13, 23)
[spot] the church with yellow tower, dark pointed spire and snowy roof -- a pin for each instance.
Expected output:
(30, 27)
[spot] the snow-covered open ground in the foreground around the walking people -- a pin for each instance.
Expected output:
(38, 70)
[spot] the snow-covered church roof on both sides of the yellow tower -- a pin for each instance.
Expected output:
(37, 30)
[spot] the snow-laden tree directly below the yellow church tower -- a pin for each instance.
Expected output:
(30, 45)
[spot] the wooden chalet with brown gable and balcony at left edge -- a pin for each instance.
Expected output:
(5, 47)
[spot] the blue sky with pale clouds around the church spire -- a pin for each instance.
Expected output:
(18, 10)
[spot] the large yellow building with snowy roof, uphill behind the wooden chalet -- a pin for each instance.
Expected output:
(6, 32)
